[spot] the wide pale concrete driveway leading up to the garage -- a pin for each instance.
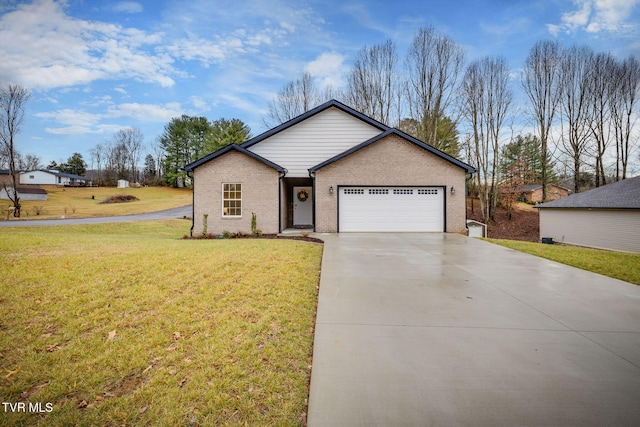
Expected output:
(444, 330)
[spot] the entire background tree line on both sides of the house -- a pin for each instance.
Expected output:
(582, 105)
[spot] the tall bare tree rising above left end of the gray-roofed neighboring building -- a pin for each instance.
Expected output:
(540, 82)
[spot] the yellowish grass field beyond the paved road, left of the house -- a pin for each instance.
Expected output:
(84, 202)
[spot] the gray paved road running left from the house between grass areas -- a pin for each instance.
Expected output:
(181, 212)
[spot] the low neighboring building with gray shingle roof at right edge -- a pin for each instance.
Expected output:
(606, 217)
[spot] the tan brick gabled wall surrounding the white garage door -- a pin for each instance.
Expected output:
(390, 161)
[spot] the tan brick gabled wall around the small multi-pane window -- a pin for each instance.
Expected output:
(260, 188)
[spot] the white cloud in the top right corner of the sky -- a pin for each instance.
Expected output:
(595, 16)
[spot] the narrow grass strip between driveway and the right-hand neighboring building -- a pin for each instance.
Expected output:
(619, 265)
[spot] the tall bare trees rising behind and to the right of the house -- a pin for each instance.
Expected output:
(582, 104)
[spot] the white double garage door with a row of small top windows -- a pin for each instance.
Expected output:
(393, 209)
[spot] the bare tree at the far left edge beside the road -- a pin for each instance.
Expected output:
(13, 100)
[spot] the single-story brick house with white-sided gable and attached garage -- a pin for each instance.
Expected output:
(331, 169)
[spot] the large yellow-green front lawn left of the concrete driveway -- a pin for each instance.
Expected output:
(128, 324)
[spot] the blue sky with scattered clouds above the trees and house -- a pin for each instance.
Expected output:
(94, 67)
